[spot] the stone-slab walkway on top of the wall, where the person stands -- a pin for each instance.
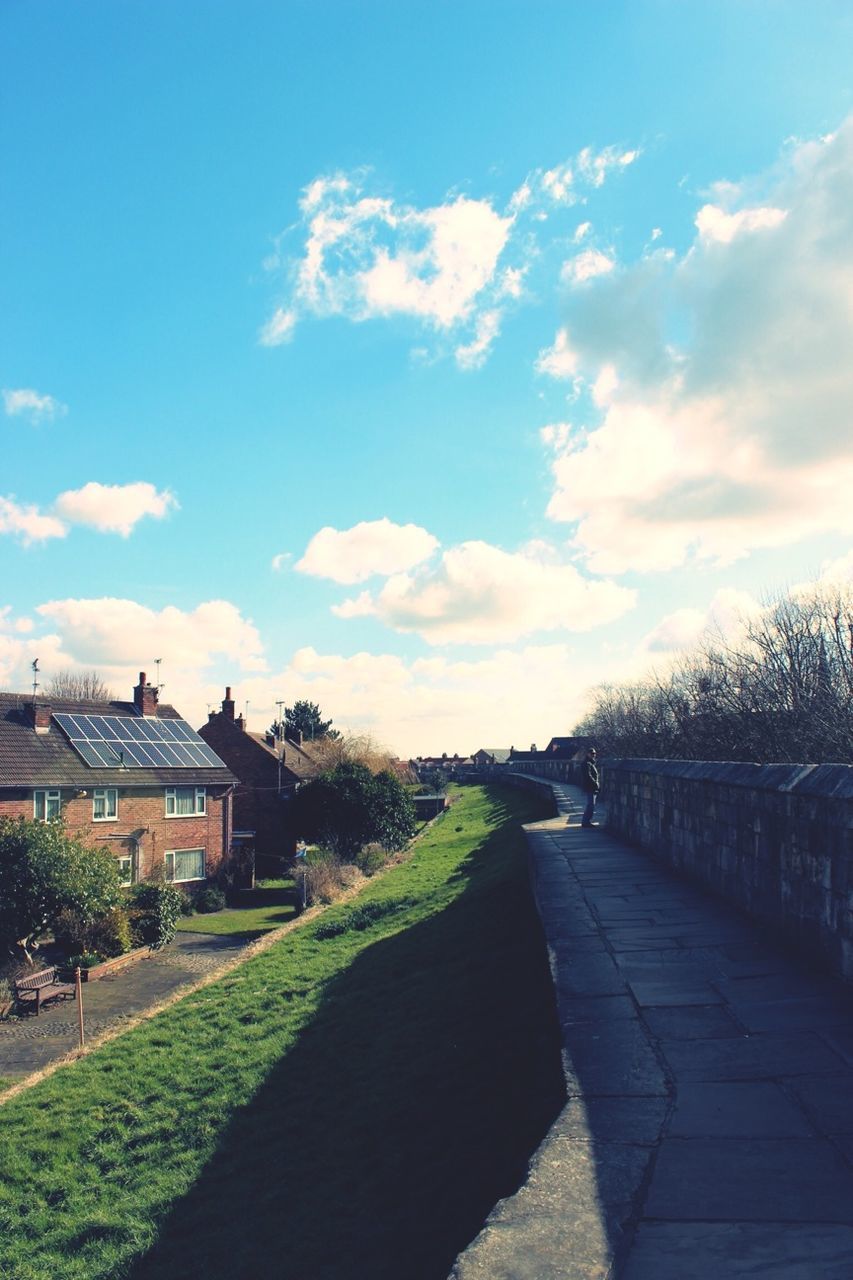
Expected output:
(709, 1126)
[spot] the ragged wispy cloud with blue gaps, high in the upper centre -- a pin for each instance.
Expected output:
(366, 257)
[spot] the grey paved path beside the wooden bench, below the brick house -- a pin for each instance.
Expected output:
(29, 1044)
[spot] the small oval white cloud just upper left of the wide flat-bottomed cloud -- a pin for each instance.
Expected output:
(372, 547)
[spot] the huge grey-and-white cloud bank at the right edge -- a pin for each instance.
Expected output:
(737, 436)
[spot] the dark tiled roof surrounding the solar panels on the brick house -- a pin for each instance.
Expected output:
(48, 760)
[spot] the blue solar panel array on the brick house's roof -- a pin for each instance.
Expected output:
(122, 742)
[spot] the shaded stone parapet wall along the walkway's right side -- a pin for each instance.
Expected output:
(777, 840)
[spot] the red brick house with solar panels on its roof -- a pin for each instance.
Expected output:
(131, 776)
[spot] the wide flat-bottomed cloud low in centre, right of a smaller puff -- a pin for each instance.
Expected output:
(480, 595)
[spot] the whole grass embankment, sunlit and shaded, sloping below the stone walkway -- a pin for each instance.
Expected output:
(337, 1108)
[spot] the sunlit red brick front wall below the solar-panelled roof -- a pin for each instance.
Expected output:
(142, 813)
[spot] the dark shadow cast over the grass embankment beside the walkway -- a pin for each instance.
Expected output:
(409, 1107)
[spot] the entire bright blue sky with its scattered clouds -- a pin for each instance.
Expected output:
(432, 362)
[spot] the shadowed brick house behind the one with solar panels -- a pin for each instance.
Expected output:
(270, 767)
